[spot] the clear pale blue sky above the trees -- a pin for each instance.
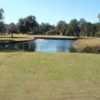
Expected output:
(50, 10)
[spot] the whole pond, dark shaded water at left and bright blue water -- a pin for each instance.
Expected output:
(39, 45)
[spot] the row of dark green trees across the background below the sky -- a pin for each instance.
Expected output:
(29, 25)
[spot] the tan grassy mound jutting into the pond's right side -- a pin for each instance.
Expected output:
(87, 45)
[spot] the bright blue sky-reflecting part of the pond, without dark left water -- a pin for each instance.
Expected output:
(53, 45)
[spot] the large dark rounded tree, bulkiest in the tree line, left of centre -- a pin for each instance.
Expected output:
(28, 24)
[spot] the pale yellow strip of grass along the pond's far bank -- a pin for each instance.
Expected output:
(25, 37)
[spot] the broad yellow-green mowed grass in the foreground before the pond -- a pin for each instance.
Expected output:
(43, 76)
